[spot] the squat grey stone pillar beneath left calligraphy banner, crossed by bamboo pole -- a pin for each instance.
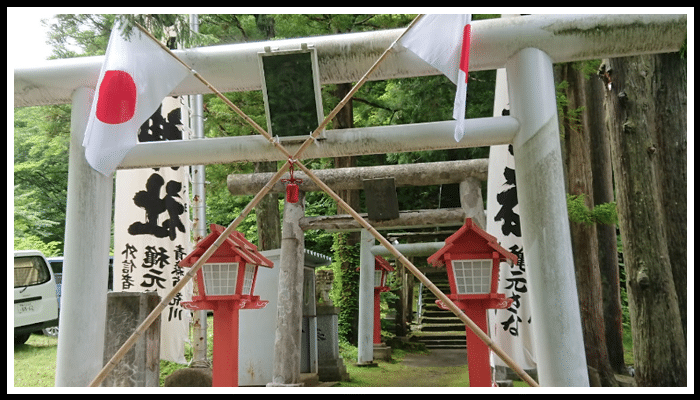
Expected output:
(140, 367)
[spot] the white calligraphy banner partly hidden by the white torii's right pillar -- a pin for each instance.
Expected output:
(510, 328)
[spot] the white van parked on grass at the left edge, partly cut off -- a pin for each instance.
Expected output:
(36, 300)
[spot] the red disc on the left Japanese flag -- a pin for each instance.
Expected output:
(117, 100)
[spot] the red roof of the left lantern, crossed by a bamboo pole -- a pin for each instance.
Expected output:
(235, 247)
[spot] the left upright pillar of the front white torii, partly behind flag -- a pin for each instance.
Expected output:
(86, 259)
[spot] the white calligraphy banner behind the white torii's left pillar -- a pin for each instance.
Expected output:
(152, 231)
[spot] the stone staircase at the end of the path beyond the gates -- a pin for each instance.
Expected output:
(437, 328)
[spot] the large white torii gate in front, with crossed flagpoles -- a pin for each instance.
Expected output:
(527, 47)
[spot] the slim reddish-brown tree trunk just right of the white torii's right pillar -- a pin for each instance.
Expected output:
(584, 237)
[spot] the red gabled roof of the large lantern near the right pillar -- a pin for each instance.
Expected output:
(470, 238)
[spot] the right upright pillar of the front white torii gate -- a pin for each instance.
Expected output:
(558, 336)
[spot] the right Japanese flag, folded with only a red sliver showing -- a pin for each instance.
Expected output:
(442, 40)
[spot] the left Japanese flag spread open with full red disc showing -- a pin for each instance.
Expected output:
(136, 75)
